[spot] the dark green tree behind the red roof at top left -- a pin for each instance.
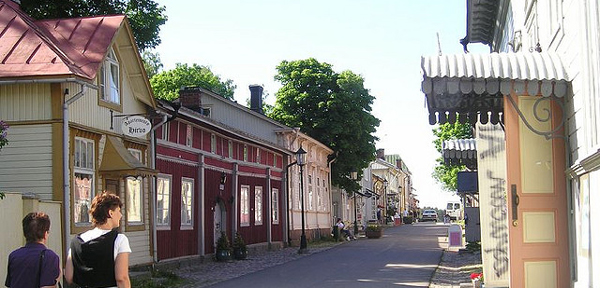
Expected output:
(145, 16)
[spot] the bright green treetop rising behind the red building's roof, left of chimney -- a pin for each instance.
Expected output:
(166, 84)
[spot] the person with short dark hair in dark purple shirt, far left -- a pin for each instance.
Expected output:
(34, 265)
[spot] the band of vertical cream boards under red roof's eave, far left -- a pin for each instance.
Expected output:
(24, 102)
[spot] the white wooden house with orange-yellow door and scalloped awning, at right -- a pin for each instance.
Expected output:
(539, 172)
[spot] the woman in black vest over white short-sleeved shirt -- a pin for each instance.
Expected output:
(100, 257)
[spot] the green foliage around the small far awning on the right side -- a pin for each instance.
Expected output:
(446, 174)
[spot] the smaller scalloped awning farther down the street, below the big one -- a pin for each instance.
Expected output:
(460, 152)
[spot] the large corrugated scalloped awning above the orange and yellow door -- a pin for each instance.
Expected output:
(473, 85)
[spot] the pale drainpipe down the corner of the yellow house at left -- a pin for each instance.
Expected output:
(66, 174)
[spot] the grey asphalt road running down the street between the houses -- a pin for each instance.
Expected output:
(406, 256)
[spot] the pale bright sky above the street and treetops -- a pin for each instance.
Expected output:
(382, 40)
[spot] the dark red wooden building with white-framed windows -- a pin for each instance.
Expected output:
(214, 178)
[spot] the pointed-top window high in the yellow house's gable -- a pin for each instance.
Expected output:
(109, 79)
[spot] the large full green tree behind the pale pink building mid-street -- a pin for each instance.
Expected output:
(333, 108)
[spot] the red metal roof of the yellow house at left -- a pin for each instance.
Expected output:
(59, 48)
